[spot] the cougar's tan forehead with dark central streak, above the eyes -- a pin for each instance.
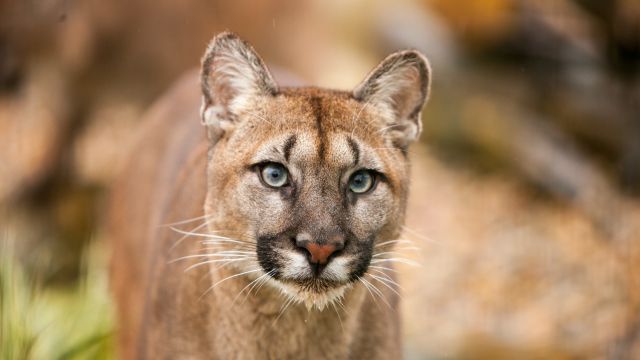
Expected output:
(313, 124)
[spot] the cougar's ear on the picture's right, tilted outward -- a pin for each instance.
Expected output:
(398, 87)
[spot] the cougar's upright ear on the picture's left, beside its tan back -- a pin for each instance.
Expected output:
(232, 76)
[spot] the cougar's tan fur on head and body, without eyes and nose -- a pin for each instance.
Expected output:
(178, 172)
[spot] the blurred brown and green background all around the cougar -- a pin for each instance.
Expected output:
(525, 200)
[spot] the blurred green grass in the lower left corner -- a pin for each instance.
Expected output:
(41, 322)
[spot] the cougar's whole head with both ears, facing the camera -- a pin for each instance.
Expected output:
(309, 184)
